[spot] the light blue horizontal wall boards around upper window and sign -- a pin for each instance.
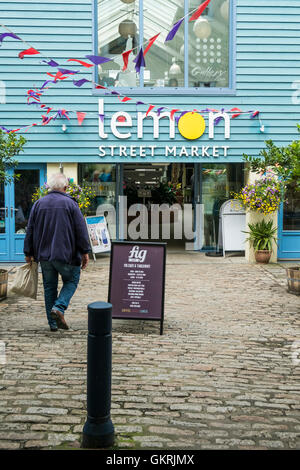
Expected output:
(267, 64)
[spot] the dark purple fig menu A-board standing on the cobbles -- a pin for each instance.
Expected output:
(137, 281)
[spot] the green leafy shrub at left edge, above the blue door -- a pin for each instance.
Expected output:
(10, 146)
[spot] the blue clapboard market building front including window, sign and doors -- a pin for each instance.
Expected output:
(243, 55)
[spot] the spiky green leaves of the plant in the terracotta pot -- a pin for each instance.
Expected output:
(261, 235)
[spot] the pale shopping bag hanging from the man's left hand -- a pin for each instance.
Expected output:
(26, 281)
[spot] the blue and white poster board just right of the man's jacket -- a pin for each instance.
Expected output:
(98, 234)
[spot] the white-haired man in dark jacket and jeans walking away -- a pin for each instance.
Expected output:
(57, 237)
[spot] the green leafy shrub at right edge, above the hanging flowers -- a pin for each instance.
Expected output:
(284, 162)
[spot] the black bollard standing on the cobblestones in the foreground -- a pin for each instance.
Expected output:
(98, 430)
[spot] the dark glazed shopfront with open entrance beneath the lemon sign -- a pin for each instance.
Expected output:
(167, 184)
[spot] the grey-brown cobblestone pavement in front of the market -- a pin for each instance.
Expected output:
(225, 374)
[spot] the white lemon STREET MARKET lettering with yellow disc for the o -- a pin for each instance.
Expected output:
(191, 126)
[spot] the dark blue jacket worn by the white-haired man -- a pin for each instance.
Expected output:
(56, 230)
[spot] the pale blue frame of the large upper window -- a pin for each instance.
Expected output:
(184, 91)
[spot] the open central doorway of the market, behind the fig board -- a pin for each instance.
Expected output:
(162, 196)
